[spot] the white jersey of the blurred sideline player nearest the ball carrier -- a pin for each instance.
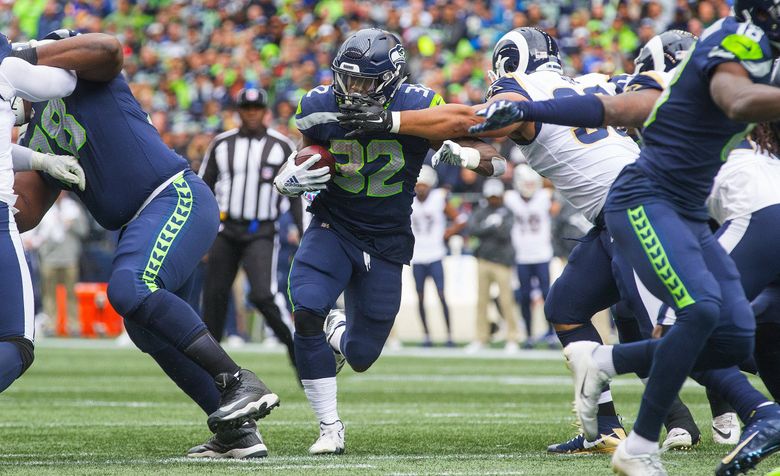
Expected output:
(428, 225)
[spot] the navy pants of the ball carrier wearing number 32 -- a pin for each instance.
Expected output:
(325, 265)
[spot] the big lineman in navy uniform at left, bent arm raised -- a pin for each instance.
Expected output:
(168, 218)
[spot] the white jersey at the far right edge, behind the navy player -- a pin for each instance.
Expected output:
(747, 182)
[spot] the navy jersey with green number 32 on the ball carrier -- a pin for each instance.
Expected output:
(370, 197)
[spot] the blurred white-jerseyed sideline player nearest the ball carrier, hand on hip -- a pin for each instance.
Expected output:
(430, 211)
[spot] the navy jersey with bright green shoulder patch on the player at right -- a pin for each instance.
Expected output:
(688, 137)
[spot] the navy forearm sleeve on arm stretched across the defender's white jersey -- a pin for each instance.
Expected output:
(574, 111)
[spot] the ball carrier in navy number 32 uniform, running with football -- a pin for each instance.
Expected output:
(360, 235)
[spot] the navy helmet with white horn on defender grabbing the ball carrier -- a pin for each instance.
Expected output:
(525, 50)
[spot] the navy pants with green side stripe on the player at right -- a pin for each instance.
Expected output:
(681, 263)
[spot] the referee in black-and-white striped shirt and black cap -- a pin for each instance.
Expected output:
(240, 166)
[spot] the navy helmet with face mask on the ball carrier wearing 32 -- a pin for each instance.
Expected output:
(371, 63)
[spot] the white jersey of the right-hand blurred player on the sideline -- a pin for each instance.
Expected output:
(531, 232)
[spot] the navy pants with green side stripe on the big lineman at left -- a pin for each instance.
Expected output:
(150, 283)
